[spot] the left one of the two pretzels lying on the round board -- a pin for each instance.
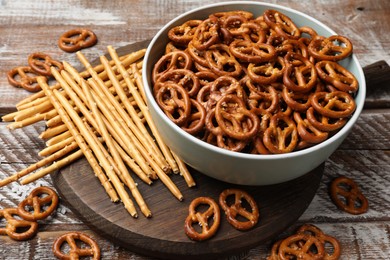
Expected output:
(204, 218)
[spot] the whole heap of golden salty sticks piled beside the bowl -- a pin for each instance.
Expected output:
(101, 114)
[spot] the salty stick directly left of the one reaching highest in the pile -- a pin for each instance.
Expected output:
(134, 116)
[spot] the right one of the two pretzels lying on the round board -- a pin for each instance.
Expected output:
(236, 209)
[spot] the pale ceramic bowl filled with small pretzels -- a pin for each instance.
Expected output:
(235, 167)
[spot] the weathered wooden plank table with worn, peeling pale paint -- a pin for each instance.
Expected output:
(31, 26)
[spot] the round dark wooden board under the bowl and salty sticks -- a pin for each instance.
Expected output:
(163, 235)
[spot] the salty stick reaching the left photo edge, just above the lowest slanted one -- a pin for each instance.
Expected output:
(39, 164)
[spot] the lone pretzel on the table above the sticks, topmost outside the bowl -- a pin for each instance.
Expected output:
(77, 39)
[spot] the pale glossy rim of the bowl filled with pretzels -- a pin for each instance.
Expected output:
(342, 132)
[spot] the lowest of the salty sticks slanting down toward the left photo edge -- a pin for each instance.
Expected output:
(56, 166)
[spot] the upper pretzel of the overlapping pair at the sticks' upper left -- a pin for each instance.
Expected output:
(41, 62)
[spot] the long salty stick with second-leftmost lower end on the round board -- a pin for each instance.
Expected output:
(75, 119)
